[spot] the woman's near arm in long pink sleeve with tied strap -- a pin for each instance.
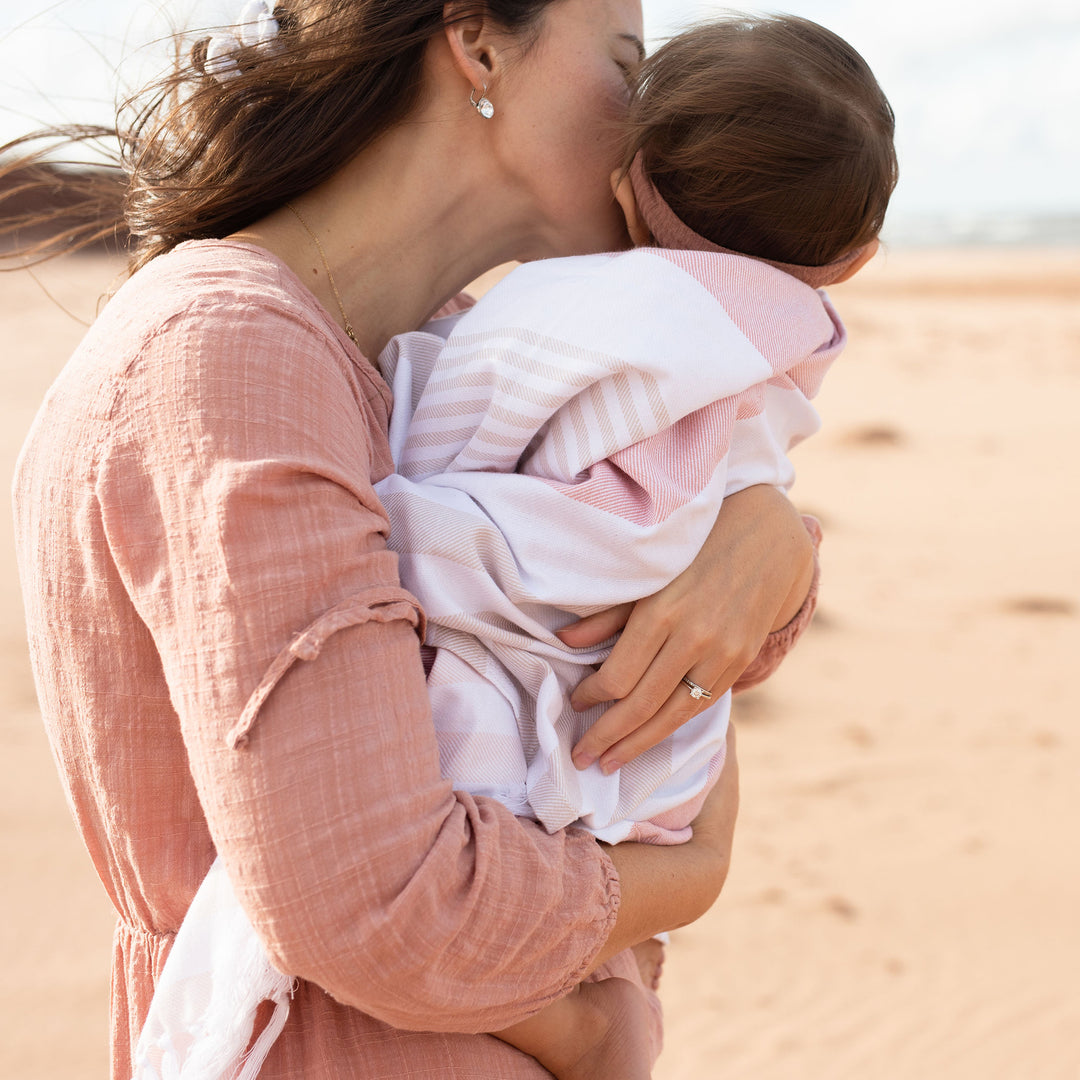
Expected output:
(237, 495)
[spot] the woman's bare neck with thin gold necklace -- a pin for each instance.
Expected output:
(402, 234)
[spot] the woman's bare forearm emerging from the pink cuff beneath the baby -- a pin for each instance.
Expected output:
(665, 888)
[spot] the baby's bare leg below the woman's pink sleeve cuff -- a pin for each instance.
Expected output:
(599, 1032)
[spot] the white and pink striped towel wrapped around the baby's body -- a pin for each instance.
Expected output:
(565, 447)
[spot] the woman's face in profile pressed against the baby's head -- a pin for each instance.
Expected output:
(559, 110)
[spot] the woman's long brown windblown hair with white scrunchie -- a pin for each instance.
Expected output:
(206, 158)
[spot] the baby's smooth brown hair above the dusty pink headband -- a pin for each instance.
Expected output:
(767, 136)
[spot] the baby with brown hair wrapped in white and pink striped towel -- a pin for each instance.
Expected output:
(607, 406)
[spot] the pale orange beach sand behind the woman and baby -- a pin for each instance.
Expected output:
(906, 898)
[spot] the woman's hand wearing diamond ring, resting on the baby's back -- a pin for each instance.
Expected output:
(750, 579)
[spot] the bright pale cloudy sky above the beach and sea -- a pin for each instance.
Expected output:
(987, 92)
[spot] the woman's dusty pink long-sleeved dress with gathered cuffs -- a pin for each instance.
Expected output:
(226, 663)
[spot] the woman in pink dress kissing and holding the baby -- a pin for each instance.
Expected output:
(225, 658)
